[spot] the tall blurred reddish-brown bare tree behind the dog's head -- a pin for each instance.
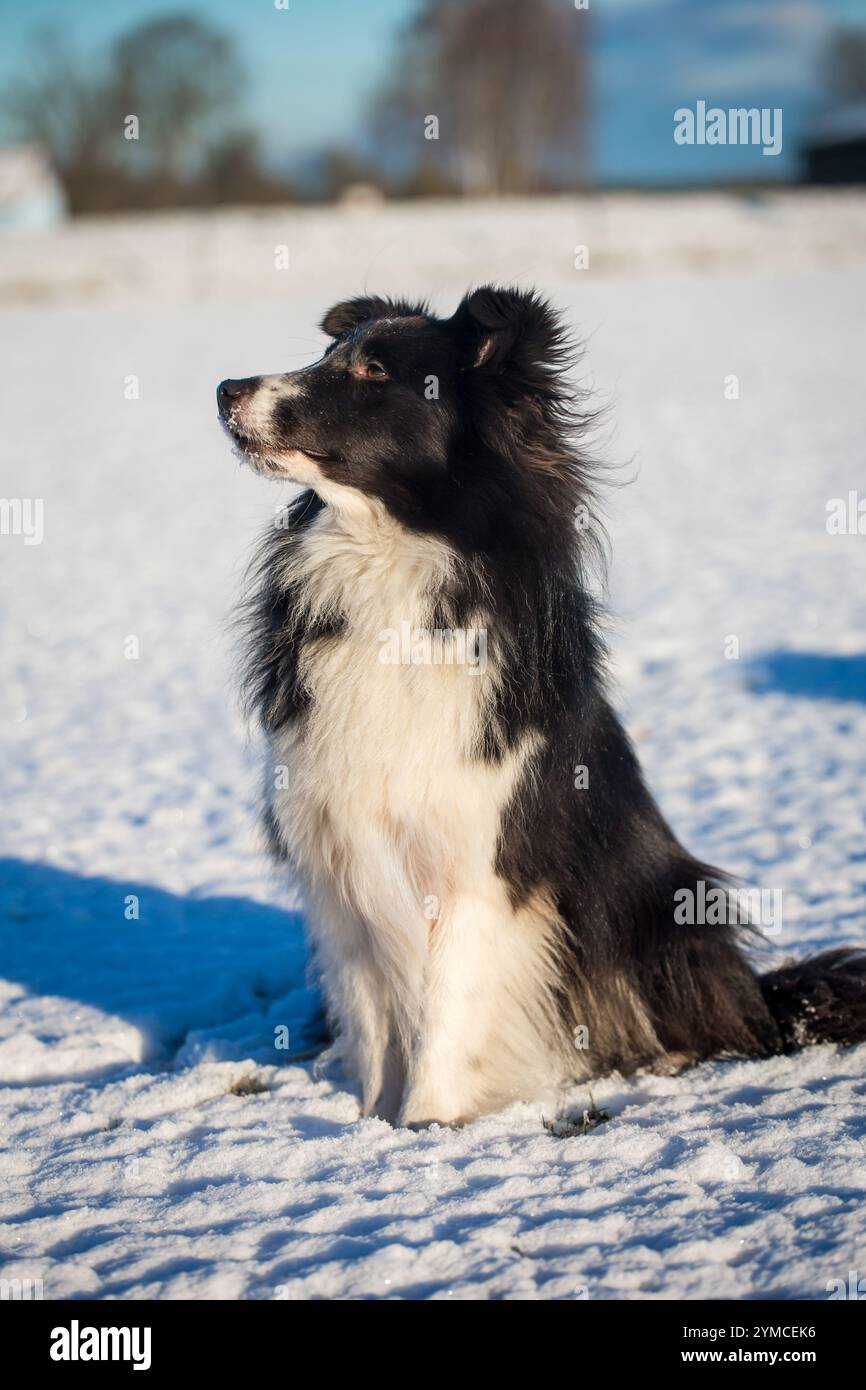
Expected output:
(507, 81)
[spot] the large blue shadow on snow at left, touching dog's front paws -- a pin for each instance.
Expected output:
(229, 971)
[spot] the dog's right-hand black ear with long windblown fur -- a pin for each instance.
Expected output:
(512, 330)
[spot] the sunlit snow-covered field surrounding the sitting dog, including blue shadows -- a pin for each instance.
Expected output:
(156, 1140)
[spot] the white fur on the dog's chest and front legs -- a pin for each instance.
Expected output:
(394, 821)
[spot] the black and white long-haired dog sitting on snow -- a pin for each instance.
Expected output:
(425, 657)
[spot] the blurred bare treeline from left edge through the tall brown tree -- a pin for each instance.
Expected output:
(491, 98)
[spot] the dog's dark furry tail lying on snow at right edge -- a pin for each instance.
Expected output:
(819, 1000)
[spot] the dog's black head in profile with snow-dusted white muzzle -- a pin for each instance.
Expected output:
(402, 404)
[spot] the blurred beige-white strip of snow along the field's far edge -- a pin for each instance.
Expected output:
(434, 245)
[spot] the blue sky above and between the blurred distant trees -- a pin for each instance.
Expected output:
(313, 67)
